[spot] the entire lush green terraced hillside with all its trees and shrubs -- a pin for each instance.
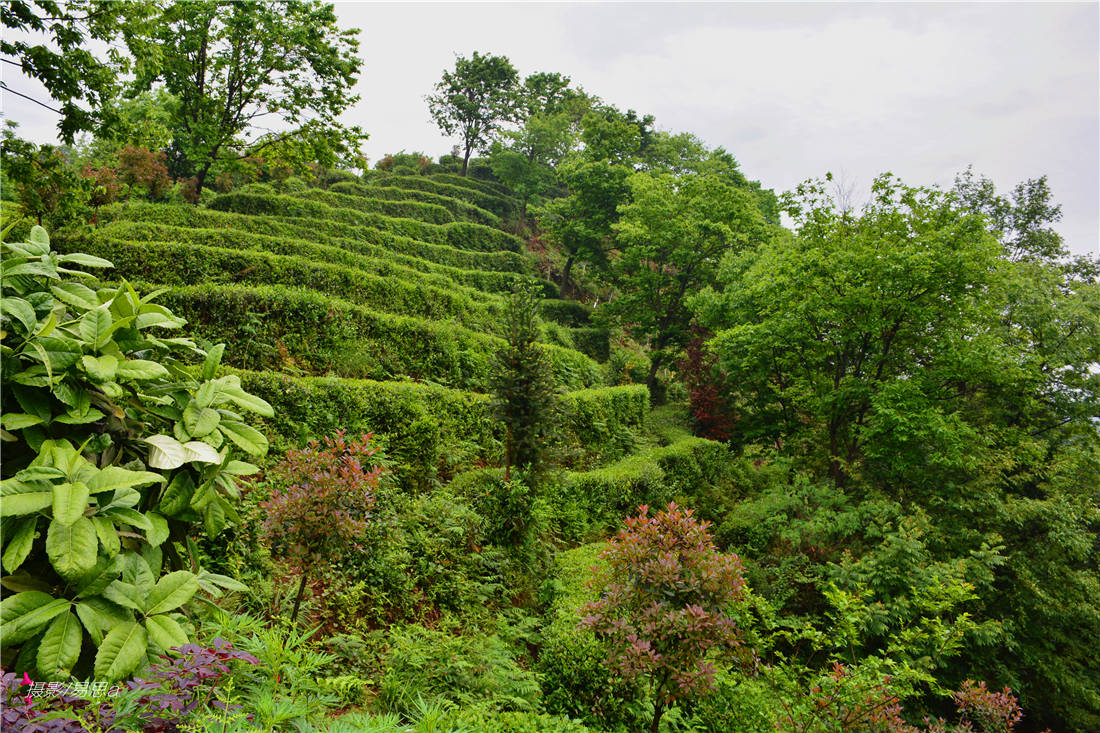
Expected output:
(576, 429)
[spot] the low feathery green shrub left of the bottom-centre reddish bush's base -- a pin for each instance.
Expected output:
(465, 670)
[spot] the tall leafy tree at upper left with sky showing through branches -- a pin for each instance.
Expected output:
(252, 75)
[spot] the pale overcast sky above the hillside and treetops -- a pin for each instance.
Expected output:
(793, 91)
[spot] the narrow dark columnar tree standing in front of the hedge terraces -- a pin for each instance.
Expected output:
(525, 396)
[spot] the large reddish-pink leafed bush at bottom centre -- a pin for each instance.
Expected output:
(665, 604)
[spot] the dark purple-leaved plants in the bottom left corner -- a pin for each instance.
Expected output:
(158, 703)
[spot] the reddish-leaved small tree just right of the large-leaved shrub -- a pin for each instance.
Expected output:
(326, 505)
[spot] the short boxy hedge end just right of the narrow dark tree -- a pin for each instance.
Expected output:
(608, 420)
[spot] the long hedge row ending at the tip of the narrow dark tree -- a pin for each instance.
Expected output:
(177, 264)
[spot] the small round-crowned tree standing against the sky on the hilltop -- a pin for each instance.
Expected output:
(476, 100)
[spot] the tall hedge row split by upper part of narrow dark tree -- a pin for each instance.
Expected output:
(294, 331)
